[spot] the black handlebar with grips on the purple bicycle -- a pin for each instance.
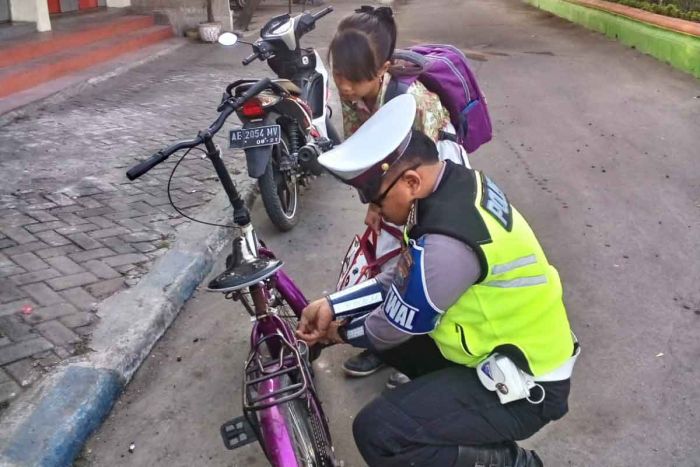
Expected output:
(144, 166)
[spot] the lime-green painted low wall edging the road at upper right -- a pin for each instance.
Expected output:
(680, 50)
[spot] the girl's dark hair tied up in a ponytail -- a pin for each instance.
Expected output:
(363, 42)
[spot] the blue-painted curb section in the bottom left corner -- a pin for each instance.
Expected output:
(72, 406)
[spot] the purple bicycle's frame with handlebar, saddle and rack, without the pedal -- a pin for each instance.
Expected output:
(260, 273)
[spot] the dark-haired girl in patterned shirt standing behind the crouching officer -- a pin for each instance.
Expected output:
(360, 55)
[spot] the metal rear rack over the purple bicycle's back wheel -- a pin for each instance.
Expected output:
(262, 382)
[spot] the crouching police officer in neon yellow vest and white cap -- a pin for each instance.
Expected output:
(473, 313)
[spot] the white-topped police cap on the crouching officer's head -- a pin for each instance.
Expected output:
(367, 155)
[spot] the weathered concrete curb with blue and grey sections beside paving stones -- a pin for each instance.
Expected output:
(48, 425)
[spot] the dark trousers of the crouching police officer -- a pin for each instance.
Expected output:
(423, 422)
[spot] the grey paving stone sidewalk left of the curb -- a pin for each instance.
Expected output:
(73, 229)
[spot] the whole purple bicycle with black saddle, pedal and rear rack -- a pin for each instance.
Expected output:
(281, 409)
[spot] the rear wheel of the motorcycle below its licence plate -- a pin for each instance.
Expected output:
(280, 191)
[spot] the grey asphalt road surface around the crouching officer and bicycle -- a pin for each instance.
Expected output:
(597, 145)
